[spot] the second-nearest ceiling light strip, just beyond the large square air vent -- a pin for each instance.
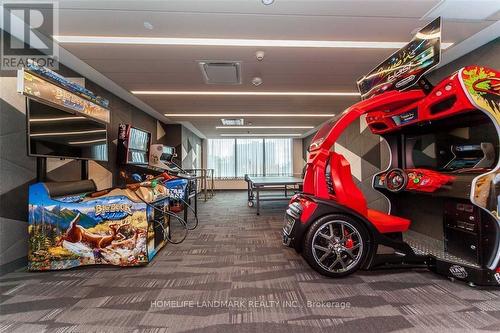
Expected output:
(244, 93)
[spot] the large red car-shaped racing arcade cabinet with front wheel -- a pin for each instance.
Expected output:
(442, 183)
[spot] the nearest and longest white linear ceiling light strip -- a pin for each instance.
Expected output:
(231, 42)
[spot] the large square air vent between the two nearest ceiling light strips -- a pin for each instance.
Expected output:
(218, 72)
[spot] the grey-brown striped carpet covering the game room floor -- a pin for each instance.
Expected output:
(233, 275)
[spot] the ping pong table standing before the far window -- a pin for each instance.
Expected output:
(281, 185)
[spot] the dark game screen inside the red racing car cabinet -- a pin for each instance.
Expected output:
(453, 147)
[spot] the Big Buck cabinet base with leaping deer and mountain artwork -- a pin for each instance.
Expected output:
(74, 230)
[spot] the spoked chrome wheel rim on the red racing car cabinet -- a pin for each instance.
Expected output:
(337, 246)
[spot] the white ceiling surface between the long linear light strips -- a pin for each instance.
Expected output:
(139, 67)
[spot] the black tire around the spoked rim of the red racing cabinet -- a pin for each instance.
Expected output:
(315, 235)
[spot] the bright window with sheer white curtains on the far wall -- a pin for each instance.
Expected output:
(233, 158)
